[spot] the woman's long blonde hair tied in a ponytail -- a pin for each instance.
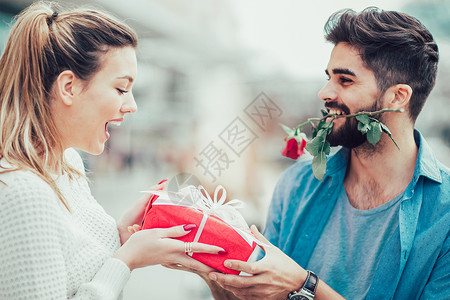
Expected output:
(43, 43)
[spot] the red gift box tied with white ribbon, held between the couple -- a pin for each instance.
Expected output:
(163, 213)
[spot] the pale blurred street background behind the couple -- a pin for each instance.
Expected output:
(215, 77)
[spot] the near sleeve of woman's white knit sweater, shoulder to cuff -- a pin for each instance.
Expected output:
(32, 258)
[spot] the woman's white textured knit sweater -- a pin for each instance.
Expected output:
(47, 252)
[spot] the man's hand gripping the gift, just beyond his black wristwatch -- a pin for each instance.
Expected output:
(274, 276)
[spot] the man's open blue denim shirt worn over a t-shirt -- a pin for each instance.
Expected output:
(415, 262)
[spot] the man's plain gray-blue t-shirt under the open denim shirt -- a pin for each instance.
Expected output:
(350, 246)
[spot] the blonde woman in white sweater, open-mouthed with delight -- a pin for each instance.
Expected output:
(64, 78)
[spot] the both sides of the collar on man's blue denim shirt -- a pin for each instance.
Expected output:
(426, 164)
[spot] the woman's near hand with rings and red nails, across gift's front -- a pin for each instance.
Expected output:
(157, 246)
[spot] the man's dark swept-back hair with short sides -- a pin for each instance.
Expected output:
(395, 46)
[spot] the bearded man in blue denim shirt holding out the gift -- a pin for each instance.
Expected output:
(377, 226)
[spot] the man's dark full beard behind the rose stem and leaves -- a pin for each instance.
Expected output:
(348, 134)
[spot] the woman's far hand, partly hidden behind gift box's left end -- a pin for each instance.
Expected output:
(128, 223)
